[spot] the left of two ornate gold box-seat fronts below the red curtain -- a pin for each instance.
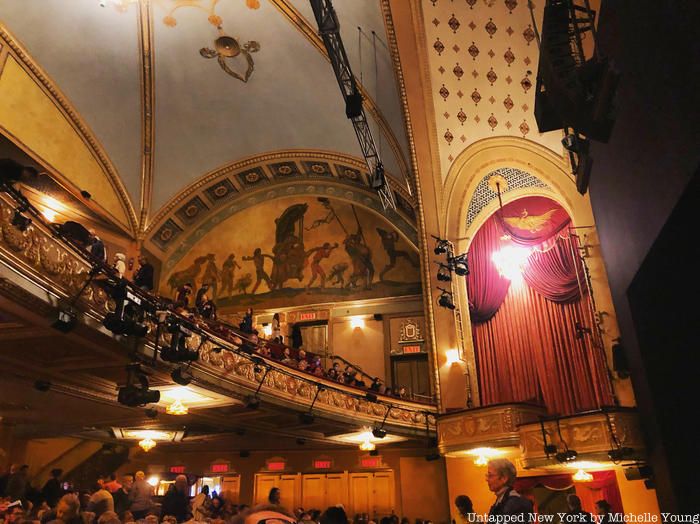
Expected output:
(490, 426)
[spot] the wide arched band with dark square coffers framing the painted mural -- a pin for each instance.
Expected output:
(211, 199)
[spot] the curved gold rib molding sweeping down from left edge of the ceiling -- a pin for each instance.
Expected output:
(57, 97)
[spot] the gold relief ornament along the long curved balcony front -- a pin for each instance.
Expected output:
(46, 262)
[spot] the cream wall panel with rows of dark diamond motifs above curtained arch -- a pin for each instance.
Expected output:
(483, 58)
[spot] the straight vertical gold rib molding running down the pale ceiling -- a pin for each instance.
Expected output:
(148, 102)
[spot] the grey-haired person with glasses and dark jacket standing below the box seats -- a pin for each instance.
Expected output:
(500, 477)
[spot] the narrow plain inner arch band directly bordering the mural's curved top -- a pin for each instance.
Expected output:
(332, 191)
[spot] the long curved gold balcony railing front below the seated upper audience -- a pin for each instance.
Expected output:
(43, 256)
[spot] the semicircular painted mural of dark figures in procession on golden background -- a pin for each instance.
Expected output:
(298, 250)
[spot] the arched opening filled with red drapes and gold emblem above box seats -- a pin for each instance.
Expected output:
(532, 323)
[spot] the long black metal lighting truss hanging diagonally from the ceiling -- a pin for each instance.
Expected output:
(329, 29)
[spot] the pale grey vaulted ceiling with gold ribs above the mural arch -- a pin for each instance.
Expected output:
(165, 115)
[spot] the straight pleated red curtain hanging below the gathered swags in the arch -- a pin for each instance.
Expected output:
(528, 352)
